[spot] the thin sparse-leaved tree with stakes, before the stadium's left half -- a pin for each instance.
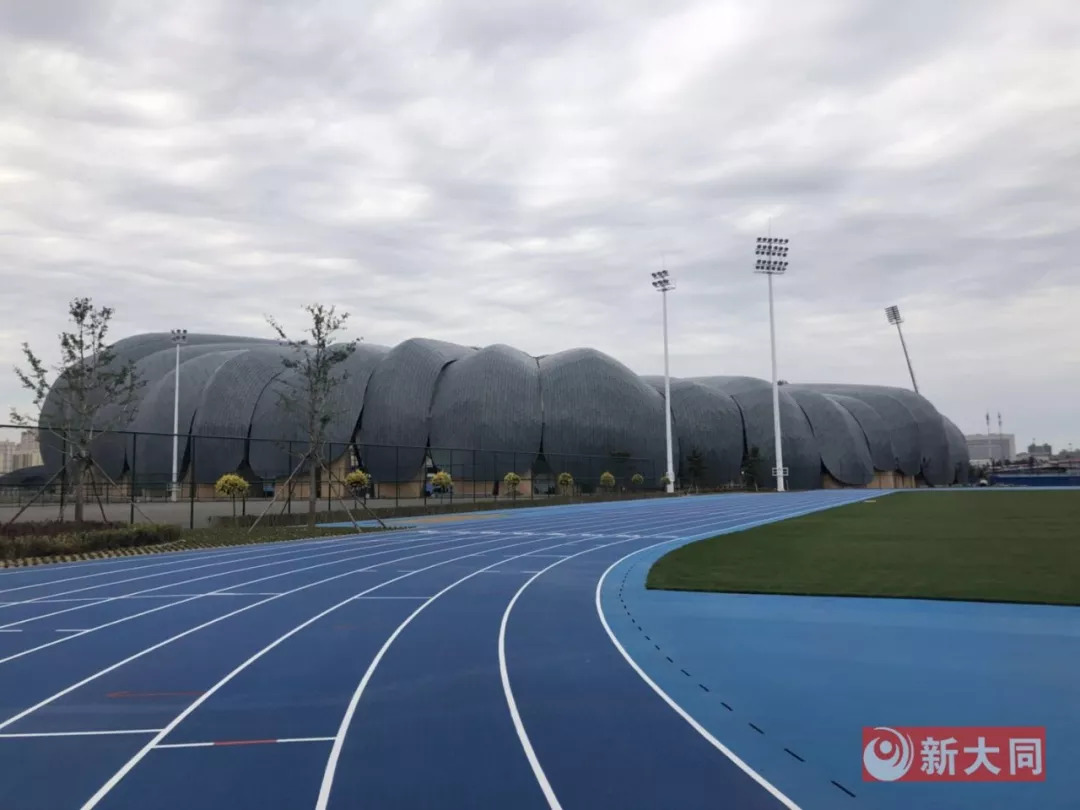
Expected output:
(309, 391)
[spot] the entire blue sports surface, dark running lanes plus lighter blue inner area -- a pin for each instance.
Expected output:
(466, 664)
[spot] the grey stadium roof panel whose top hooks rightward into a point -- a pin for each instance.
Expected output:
(395, 426)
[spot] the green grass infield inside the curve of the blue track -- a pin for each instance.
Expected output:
(987, 546)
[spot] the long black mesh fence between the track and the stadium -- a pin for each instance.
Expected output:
(137, 468)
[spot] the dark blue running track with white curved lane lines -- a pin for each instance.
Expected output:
(467, 665)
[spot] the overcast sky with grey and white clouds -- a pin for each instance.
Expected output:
(514, 172)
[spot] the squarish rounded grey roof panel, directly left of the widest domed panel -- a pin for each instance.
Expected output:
(488, 402)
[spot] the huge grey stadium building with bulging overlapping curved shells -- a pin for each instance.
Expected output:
(480, 413)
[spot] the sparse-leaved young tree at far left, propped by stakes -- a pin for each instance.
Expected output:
(91, 395)
